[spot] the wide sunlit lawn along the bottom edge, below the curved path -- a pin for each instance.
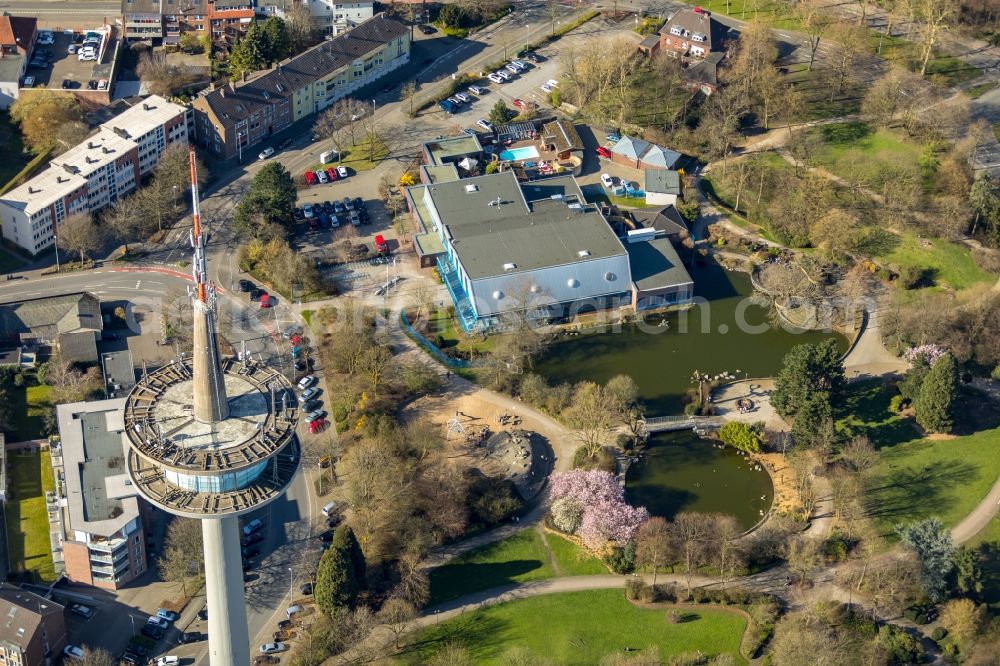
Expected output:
(580, 628)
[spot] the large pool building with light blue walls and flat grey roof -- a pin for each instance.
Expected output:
(537, 248)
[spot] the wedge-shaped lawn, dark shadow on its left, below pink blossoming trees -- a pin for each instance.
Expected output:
(521, 558)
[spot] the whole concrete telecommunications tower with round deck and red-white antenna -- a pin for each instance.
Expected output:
(213, 438)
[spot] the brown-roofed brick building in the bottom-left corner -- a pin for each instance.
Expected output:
(32, 629)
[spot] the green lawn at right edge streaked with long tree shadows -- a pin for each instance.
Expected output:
(922, 478)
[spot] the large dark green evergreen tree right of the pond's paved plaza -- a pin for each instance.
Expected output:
(808, 369)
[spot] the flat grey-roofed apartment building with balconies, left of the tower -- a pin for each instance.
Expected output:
(102, 541)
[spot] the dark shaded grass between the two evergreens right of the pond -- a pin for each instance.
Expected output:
(866, 412)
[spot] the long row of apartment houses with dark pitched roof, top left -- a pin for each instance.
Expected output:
(235, 117)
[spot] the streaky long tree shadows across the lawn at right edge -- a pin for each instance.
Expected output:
(916, 493)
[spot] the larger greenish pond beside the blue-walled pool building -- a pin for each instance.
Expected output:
(725, 333)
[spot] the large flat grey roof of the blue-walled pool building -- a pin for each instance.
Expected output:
(532, 227)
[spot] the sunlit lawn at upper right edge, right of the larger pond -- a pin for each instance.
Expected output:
(944, 263)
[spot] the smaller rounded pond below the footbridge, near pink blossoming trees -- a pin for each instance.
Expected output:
(683, 472)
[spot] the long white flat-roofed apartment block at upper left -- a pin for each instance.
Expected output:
(93, 174)
